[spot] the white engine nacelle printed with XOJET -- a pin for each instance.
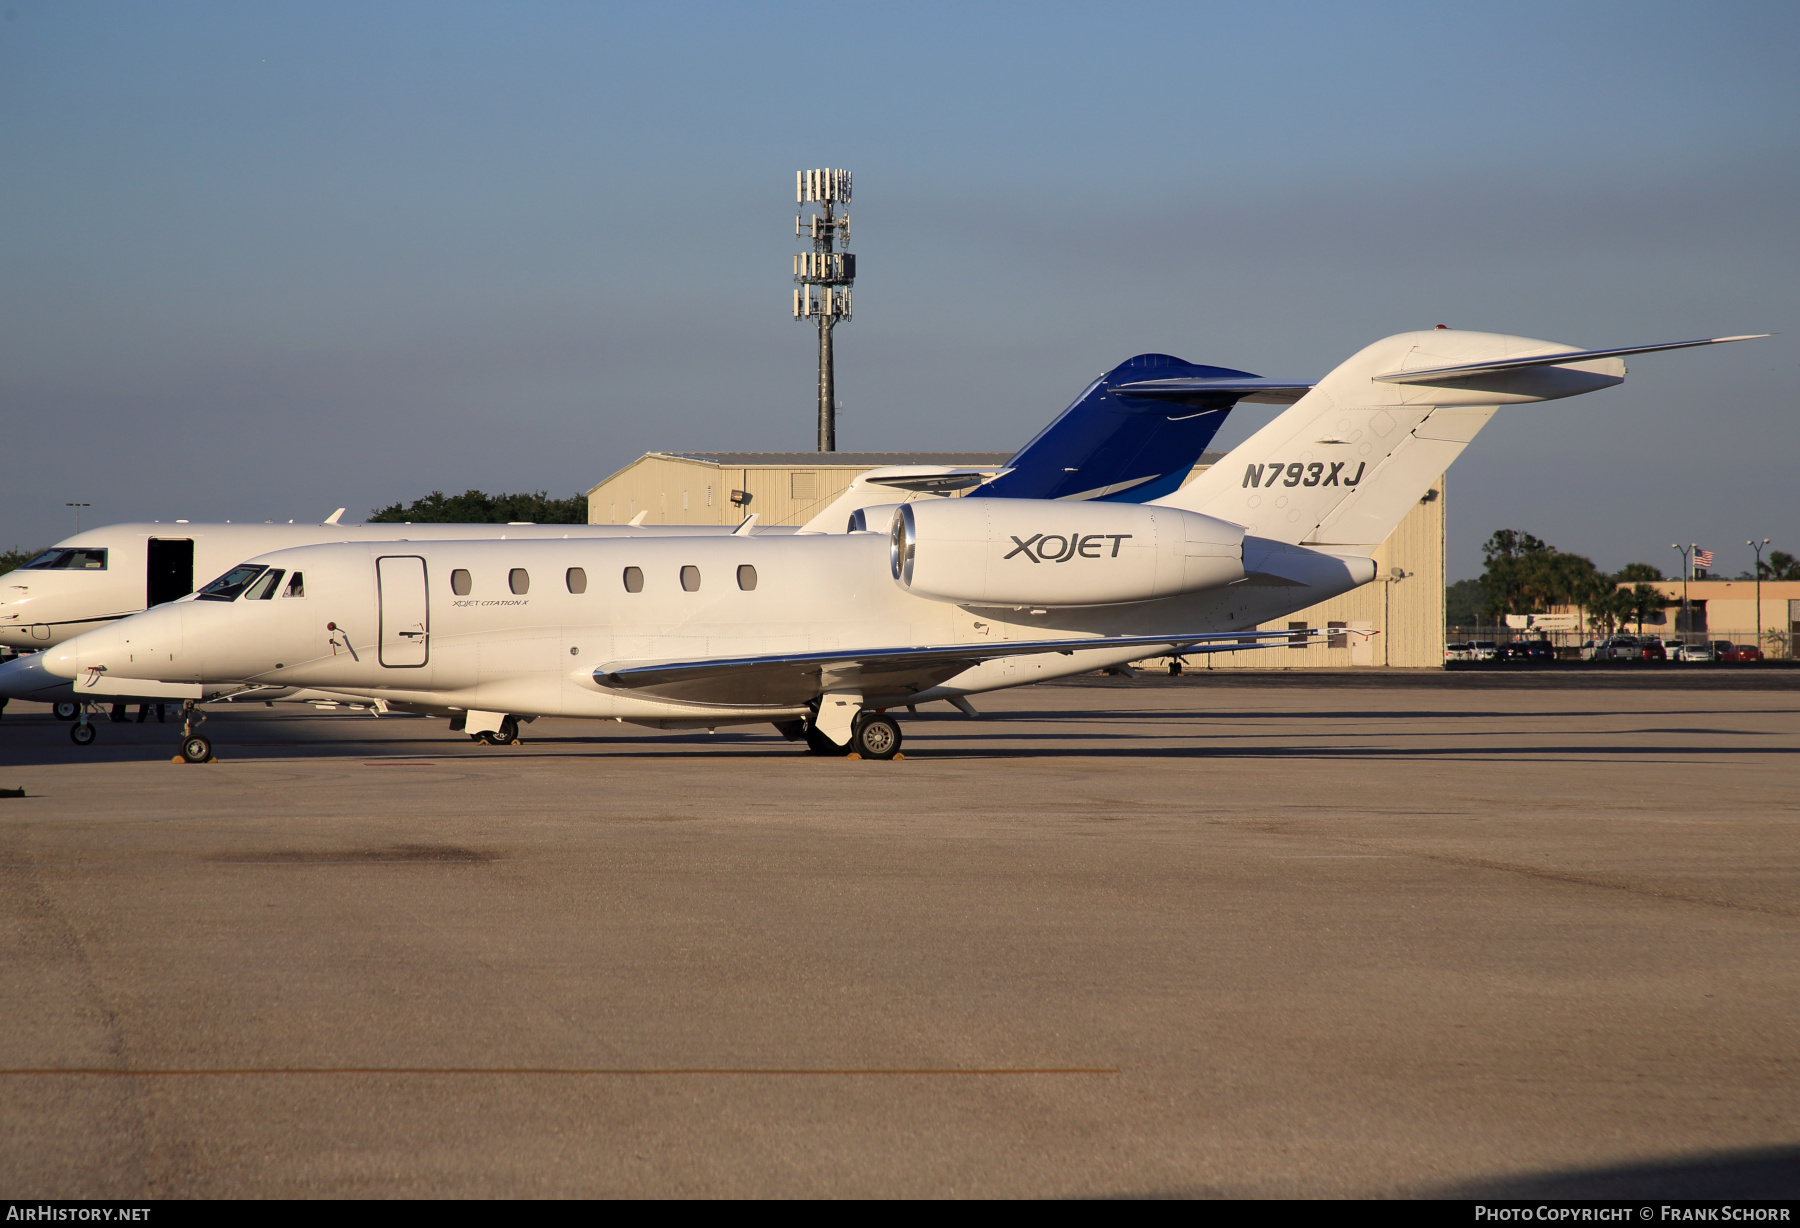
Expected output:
(1057, 554)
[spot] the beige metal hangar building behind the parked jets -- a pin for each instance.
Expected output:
(1403, 608)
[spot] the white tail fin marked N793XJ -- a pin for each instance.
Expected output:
(1354, 455)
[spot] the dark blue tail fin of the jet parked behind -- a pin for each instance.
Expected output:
(1128, 444)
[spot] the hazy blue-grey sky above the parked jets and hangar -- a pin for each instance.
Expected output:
(267, 260)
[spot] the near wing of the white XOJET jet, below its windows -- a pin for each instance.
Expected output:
(879, 674)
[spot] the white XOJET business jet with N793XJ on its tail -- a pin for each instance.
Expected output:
(825, 635)
